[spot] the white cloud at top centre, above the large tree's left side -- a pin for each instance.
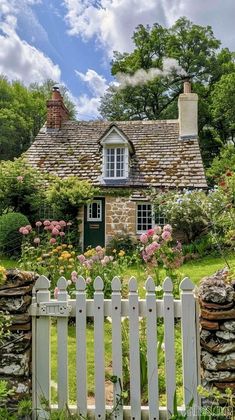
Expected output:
(112, 22)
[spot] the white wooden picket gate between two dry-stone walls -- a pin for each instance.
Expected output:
(43, 309)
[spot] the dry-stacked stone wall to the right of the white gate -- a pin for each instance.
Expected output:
(217, 333)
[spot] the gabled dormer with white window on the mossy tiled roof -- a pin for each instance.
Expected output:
(116, 152)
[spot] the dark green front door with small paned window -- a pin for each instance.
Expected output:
(94, 223)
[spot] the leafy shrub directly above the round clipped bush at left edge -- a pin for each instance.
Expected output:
(22, 188)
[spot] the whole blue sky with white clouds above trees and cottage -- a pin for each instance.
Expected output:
(72, 41)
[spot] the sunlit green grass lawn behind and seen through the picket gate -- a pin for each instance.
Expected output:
(195, 269)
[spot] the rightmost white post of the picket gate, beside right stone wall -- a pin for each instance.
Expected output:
(189, 342)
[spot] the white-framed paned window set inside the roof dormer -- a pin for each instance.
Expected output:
(115, 162)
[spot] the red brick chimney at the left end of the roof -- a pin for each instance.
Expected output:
(56, 110)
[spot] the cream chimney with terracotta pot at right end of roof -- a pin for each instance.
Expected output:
(188, 112)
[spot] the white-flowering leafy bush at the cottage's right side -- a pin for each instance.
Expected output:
(196, 213)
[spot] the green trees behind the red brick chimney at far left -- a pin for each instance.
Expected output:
(22, 114)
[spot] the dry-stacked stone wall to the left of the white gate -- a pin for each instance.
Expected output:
(15, 350)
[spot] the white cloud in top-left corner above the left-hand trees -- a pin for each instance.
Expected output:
(18, 59)
